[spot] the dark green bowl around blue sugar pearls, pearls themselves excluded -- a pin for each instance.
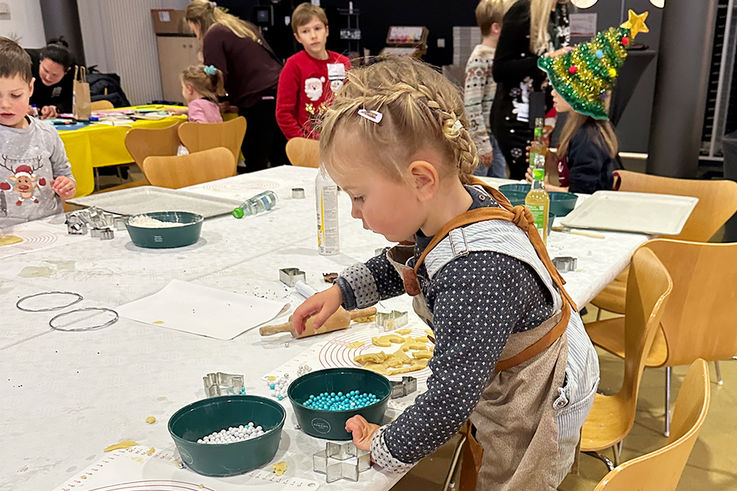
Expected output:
(331, 424)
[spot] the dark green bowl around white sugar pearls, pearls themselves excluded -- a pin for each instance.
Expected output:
(201, 418)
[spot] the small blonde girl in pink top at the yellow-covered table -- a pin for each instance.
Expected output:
(201, 87)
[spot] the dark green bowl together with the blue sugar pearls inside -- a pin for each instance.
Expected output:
(324, 400)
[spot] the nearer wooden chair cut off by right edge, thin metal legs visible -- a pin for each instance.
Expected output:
(699, 319)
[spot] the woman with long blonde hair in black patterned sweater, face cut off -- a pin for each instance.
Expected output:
(530, 28)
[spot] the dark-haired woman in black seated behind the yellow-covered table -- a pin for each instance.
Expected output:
(53, 78)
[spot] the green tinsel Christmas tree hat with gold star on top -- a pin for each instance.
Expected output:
(584, 75)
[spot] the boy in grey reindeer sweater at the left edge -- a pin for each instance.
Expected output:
(35, 175)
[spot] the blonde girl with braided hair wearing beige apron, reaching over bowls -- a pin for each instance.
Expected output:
(396, 140)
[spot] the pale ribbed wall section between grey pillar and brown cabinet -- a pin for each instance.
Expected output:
(118, 37)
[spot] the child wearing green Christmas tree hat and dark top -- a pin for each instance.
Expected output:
(582, 81)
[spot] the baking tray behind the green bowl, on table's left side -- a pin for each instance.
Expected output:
(146, 199)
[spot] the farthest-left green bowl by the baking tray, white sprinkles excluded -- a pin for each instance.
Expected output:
(167, 237)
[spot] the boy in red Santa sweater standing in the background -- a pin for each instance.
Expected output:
(309, 78)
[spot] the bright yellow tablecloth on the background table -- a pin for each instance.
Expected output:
(100, 145)
